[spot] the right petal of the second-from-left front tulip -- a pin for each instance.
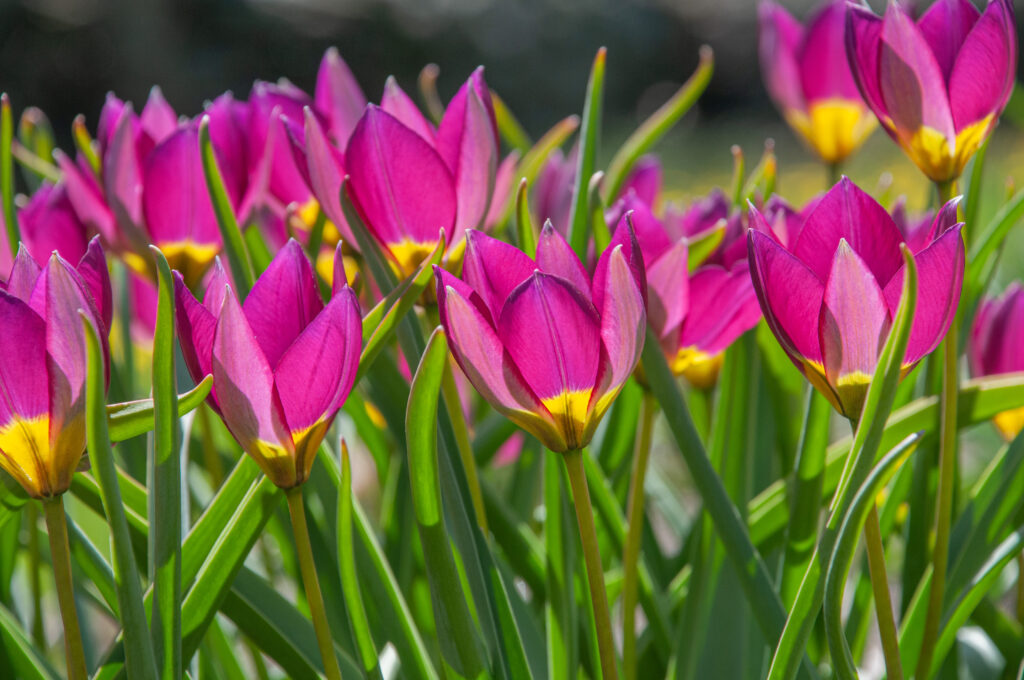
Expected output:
(317, 372)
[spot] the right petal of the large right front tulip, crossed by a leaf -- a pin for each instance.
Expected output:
(941, 277)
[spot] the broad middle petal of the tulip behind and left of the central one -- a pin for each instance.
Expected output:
(400, 184)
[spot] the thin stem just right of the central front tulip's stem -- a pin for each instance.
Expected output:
(634, 533)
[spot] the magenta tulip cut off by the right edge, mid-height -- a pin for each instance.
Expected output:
(995, 349)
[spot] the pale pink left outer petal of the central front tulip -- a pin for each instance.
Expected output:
(488, 365)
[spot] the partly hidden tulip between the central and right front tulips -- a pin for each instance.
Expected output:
(696, 315)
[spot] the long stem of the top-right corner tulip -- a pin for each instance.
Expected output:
(945, 495)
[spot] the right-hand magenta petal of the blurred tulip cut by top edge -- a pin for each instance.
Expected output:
(825, 71)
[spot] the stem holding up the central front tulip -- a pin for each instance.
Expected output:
(592, 557)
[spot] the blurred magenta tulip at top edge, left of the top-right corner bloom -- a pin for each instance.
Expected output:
(807, 75)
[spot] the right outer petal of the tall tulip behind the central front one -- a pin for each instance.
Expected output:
(467, 142)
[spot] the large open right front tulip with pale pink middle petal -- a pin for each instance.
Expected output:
(830, 299)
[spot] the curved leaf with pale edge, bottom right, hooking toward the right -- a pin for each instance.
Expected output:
(846, 545)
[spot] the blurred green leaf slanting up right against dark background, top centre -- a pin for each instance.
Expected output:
(658, 124)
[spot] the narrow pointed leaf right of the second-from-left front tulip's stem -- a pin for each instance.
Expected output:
(350, 580)
